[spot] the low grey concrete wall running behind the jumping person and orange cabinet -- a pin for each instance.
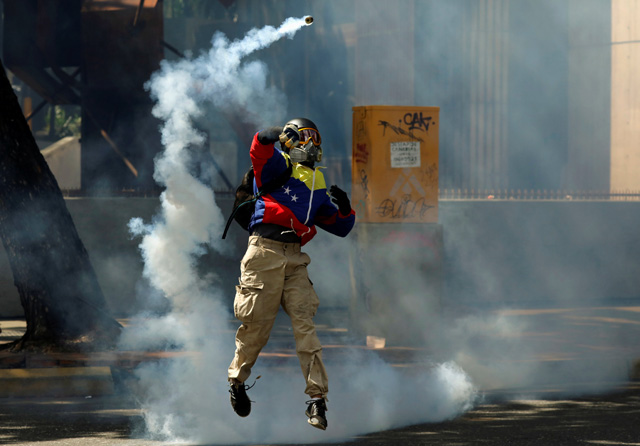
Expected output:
(495, 253)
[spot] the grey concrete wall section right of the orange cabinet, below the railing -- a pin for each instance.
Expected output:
(562, 252)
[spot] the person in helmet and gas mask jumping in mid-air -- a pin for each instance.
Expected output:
(274, 269)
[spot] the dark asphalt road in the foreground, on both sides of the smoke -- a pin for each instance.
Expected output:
(611, 419)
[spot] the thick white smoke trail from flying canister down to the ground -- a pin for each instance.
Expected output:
(187, 399)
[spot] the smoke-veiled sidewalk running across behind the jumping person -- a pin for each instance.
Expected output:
(585, 339)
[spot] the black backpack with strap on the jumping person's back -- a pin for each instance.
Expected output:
(245, 202)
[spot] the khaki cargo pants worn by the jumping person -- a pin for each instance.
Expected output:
(273, 274)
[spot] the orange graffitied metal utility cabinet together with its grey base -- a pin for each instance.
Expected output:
(397, 266)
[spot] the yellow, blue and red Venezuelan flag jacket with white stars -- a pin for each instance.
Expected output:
(302, 203)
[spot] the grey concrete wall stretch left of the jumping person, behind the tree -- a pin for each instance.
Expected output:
(102, 226)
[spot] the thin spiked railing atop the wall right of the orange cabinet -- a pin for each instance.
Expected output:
(537, 194)
